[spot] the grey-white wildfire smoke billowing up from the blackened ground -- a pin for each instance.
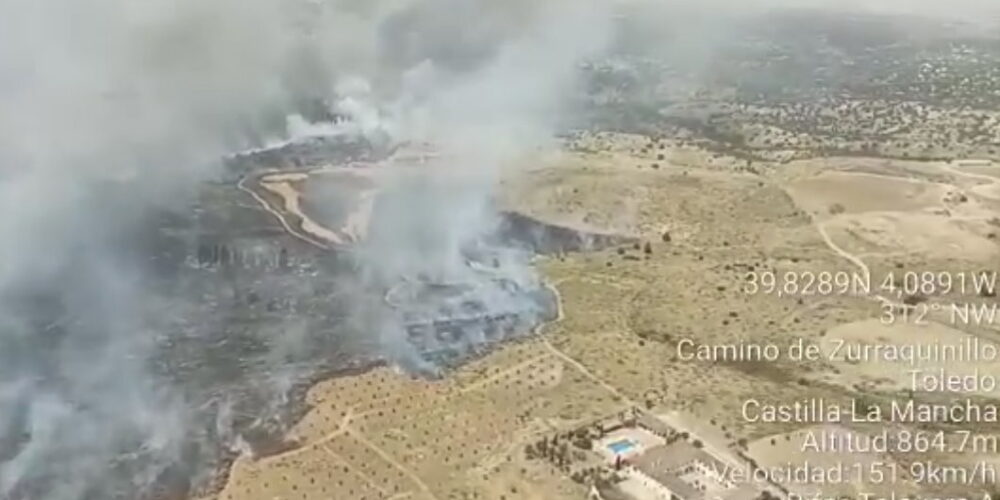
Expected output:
(112, 110)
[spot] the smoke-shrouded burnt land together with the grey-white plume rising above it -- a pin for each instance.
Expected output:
(137, 352)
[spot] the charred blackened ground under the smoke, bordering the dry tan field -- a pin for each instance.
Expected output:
(237, 320)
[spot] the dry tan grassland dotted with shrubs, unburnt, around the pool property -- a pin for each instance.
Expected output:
(705, 222)
